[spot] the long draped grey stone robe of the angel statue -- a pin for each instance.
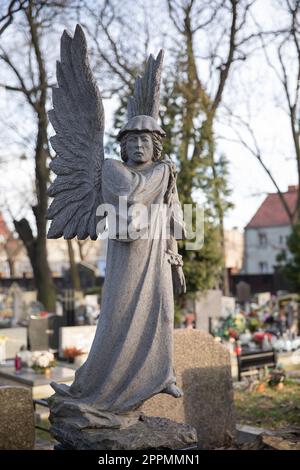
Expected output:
(131, 356)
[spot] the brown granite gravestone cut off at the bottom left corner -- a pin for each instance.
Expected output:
(17, 430)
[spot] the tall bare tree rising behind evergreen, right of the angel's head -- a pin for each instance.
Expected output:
(226, 22)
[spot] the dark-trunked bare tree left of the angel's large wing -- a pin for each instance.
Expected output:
(31, 82)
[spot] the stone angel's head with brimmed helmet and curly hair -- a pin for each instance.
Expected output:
(141, 140)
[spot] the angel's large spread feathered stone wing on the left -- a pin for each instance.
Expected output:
(78, 120)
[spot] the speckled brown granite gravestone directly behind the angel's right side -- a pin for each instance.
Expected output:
(203, 371)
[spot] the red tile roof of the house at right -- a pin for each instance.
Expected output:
(271, 213)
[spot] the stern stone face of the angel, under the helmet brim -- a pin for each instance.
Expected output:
(139, 147)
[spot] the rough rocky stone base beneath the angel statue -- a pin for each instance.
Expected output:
(147, 433)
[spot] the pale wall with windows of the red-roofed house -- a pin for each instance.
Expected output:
(260, 255)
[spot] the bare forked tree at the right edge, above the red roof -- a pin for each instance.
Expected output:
(281, 48)
